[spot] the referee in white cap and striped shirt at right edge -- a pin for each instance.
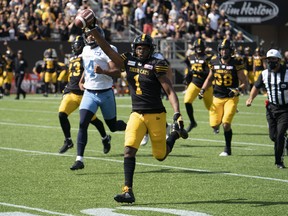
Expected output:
(275, 80)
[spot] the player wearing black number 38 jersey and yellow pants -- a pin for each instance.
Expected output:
(228, 74)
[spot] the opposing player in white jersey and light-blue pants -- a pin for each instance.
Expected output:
(98, 93)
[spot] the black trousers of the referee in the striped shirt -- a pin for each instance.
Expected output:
(277, 117)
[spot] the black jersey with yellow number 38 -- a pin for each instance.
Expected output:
(225, 75)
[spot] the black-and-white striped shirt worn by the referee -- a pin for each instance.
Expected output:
(276, 84)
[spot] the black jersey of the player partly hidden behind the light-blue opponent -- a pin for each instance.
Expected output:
(75, 71)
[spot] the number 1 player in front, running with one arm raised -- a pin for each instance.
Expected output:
(146, 76)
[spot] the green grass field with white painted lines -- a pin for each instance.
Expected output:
(193, 180)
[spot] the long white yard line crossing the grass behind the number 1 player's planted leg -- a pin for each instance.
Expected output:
(149, 165)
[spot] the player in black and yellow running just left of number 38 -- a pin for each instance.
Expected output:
(198, 70)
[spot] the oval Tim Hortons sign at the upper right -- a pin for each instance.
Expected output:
(250, 11)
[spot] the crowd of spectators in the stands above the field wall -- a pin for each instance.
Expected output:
(174, 19)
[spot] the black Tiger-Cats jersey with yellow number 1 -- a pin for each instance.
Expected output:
(145, 89)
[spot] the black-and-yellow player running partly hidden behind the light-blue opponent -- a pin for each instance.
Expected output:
(72, 96)
